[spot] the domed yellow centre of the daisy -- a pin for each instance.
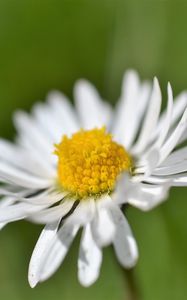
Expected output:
(89, 162)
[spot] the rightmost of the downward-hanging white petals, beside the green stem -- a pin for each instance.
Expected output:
(124, 243)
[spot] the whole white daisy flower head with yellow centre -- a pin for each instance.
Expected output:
(75, 168)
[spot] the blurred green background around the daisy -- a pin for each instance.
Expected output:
(49, 44)
